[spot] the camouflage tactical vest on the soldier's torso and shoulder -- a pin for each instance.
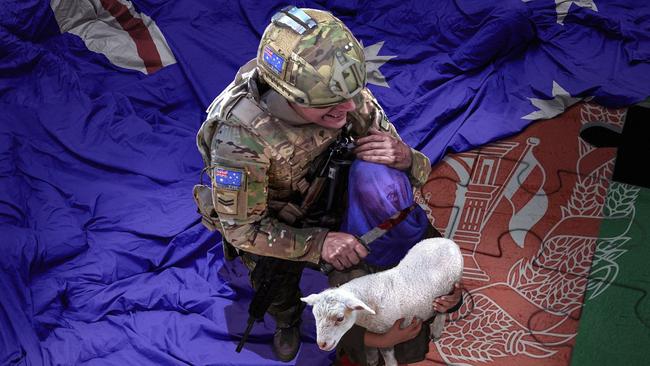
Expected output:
(294, 148)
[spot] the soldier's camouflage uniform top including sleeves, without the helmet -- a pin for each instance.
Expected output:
(273, 155)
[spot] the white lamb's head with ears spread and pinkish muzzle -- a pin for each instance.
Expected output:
(335, 311)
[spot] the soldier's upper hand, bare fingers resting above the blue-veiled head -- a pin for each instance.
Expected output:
(381, 147)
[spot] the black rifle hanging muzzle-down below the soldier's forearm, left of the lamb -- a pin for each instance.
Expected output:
(270, 274)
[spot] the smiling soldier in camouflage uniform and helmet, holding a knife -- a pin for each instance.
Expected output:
(262, 137)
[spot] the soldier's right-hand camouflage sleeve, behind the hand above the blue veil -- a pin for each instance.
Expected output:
(369, 111)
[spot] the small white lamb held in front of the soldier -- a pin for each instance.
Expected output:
(376, 301)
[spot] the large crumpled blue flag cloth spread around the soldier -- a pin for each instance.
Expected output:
(104, 259)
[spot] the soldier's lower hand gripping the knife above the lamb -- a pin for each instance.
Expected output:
(342, 250)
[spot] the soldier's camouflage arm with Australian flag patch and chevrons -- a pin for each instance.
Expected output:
(240, 189)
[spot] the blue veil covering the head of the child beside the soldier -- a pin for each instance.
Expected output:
(375, 193)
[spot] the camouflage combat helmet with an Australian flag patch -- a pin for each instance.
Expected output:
(311, 58)
